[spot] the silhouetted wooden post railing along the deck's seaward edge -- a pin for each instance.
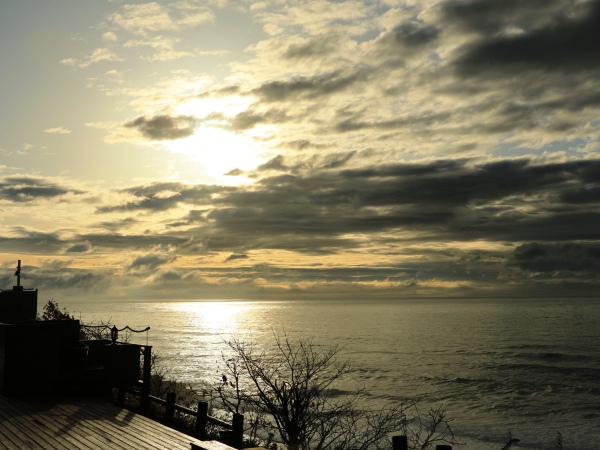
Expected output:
(234, 431)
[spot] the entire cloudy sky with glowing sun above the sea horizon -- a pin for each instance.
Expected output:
(217, 149)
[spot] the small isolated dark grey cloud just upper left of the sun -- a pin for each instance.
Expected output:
(163, 127)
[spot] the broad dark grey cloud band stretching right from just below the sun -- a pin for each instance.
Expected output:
(505, 200)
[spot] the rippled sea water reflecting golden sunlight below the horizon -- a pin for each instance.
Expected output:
(528, 366)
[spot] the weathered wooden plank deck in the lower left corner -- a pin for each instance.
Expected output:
(59, 423)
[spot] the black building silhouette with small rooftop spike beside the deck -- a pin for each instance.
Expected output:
(46, 356)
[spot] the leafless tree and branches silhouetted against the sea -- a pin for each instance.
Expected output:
(288, 392)
